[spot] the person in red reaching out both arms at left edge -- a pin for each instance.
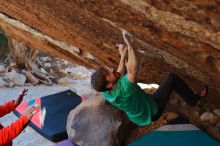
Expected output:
(7, 134)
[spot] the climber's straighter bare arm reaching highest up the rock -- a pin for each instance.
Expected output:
(132, 64)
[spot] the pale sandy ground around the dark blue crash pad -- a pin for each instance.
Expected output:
(29, 137)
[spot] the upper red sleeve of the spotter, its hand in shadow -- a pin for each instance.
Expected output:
(7, 108)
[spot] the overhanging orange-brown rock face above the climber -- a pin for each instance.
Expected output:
(175, 36)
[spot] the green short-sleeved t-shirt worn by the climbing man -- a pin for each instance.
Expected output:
(130, 98)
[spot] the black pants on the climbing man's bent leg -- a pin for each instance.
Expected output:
(168, 84)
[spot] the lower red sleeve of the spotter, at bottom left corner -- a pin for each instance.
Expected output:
(7, 134)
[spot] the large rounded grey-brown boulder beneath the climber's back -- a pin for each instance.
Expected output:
(96, 123)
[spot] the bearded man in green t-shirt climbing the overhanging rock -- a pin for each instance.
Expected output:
(122, 91)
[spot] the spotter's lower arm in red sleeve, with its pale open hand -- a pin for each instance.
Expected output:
(8, 133)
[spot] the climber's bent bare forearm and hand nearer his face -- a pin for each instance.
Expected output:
(123, 52)
